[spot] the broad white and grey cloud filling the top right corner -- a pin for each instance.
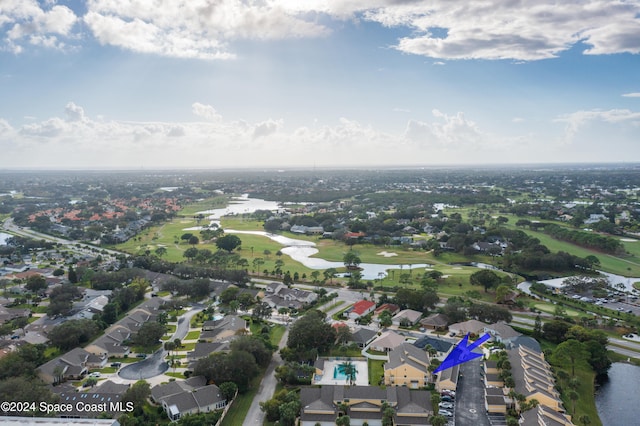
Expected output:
(505, 29)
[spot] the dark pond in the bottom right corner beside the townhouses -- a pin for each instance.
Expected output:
(618, 399)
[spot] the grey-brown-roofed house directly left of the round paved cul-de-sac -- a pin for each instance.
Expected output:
(73, 365)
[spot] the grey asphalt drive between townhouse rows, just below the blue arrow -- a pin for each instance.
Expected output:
(469, 408)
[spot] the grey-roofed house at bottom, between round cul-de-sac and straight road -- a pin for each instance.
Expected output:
(190, 396)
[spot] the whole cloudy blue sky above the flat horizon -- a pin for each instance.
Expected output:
(170, 84)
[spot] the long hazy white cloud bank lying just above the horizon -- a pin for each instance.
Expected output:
(80, 140)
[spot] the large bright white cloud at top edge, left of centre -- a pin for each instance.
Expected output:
(192, 28)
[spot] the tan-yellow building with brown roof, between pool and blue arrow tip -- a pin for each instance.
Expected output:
(407, 366)
